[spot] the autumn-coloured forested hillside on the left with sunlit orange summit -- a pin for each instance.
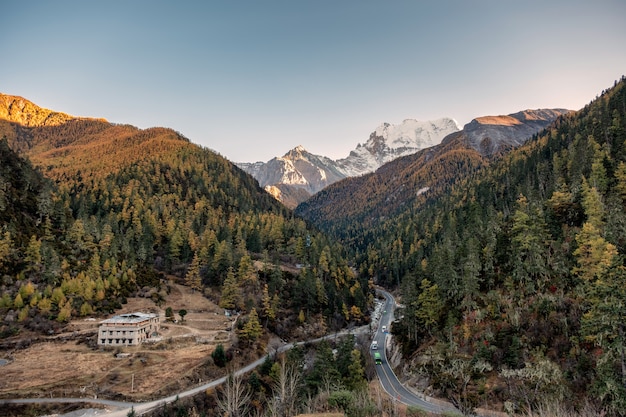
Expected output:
(125, 207)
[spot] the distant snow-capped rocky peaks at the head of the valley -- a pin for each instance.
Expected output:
(298, 174)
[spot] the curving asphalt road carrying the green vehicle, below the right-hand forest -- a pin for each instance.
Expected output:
(386, 376)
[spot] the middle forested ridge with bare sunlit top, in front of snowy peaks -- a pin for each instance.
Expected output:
(359, 211)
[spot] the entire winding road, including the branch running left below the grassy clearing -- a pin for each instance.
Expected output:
(387, 377)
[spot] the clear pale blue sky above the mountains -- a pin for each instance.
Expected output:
(253, 79)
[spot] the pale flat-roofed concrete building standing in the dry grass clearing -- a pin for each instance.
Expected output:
(127, 329)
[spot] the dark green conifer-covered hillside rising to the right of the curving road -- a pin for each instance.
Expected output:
(514, 284)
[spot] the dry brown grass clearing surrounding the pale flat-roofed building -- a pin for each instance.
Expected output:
(71, 364)
